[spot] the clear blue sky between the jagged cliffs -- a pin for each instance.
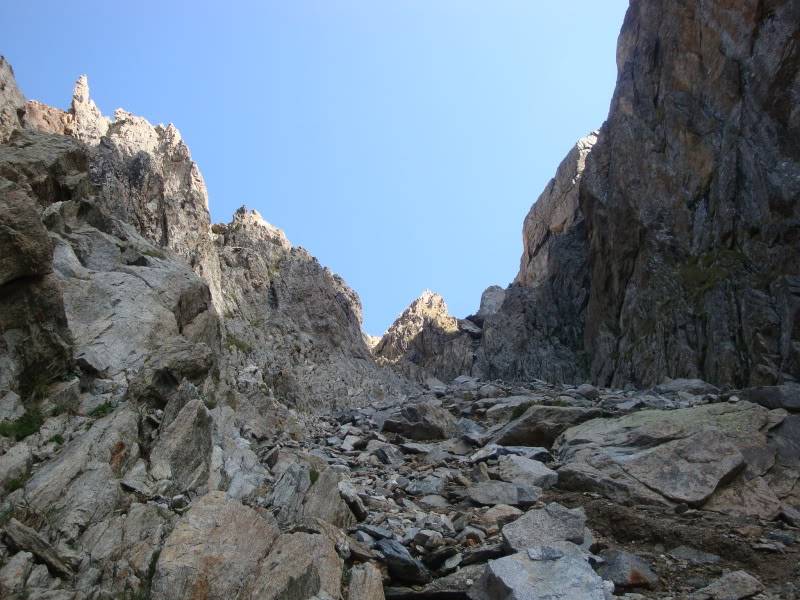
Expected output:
(402, 142)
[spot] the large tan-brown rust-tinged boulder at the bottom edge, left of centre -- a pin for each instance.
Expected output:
(214, 550)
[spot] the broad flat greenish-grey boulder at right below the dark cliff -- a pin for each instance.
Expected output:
(664, 457)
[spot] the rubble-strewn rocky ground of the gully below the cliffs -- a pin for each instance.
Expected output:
(472, 490)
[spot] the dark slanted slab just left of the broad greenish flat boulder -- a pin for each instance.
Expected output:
(541, 425)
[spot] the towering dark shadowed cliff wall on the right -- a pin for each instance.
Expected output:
(666, 244)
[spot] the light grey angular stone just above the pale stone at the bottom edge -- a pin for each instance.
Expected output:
(553, 523)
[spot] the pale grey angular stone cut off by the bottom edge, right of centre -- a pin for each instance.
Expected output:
(563, 574)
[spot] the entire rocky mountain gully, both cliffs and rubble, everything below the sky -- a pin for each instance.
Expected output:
(191, 410)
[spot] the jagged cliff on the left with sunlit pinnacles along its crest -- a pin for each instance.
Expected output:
(137, 261)
